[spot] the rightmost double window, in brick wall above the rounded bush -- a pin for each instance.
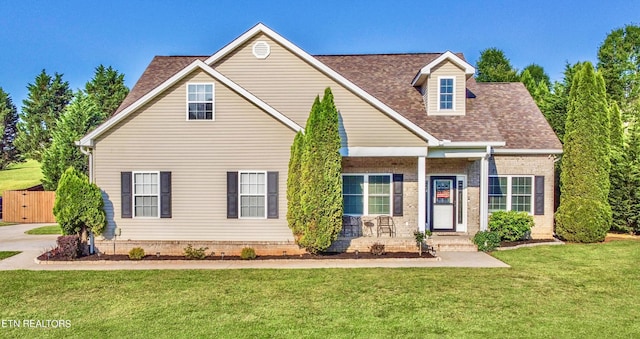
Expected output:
(511, 193)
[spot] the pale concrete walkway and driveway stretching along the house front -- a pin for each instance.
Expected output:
(12, 238)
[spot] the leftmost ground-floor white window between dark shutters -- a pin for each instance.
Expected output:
(146, 194)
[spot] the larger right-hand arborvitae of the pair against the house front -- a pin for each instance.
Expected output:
(321, 170)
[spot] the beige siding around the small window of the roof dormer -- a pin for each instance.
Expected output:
(446, 69)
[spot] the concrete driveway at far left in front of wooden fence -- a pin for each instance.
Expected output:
(13, 238)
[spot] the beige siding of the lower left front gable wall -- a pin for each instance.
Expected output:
(158, 137)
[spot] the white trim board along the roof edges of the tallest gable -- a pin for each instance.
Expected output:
(261, 28)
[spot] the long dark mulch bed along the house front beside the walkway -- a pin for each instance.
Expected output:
(321, 256)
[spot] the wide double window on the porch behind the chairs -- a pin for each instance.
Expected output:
(366, 194)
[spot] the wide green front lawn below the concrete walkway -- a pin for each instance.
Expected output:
(569, 291)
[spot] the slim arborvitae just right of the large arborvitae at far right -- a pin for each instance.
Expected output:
(620, 193)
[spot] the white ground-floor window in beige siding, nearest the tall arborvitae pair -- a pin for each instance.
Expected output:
(253, 194)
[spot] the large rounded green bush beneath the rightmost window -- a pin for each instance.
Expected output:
(511, 225)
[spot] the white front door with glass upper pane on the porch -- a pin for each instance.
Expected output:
(443, 203)
